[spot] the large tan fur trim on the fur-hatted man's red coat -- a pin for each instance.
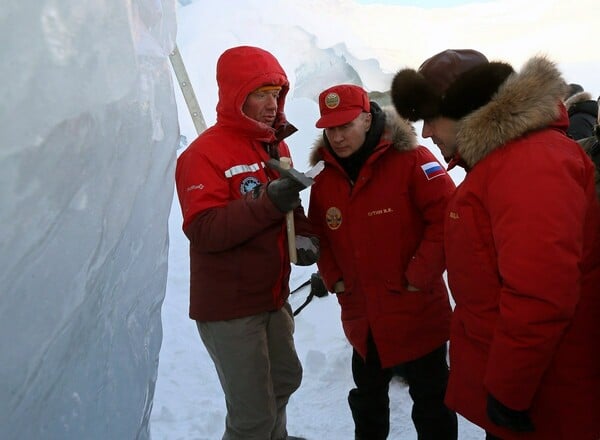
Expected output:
(526, 101)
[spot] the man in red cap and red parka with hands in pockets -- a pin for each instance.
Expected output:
(378, 208)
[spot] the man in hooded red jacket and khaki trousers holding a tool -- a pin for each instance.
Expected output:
(234, 212)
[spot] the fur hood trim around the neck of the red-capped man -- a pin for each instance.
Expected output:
(397, 131)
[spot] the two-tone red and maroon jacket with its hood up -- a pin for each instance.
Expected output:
(239, 264)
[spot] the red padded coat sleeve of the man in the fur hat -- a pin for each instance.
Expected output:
(537, 208)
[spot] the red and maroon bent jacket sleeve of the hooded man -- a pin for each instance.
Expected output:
(213, 221)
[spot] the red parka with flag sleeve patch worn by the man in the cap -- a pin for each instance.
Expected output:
(381, 234)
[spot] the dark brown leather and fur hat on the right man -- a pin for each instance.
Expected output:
(452, 83)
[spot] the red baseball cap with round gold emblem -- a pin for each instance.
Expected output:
(342, 104)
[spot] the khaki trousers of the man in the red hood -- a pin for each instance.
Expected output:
(258, 368)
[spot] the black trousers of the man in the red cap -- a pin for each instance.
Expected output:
(427, 378)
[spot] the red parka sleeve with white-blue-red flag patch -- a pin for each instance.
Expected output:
(431, 188)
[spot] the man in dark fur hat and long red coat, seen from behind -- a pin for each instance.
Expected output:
(522, 241)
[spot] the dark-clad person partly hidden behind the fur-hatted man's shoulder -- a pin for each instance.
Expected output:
(583, 112)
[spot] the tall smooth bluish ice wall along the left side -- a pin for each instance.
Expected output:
(88, 129)
